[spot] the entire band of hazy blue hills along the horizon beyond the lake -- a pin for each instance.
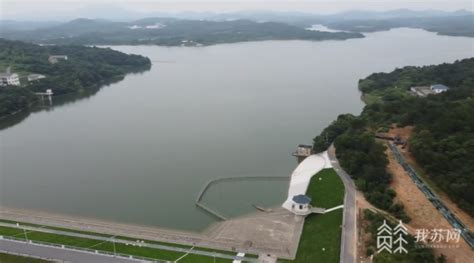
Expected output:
(192, 29)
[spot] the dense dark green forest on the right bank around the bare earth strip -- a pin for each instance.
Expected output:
(443, 139)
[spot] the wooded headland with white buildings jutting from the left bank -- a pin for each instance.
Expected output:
(86, 68)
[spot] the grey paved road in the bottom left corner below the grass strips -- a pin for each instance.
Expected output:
(59, 254)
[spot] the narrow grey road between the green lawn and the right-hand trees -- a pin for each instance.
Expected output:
(349, 234)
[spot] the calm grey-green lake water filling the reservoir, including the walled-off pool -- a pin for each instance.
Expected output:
(140, 150)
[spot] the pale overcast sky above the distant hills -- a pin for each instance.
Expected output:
(21, 9)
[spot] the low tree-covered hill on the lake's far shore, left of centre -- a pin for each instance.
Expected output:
(169, 32)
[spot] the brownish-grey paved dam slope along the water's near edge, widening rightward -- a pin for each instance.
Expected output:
(230, 236)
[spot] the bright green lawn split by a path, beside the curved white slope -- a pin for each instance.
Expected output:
(321, 237)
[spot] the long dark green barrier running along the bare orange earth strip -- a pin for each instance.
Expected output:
(434, 199)
